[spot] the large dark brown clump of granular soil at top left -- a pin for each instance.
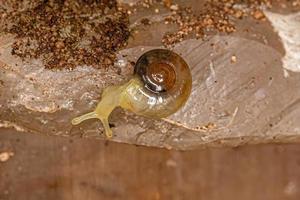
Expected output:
(67, 33)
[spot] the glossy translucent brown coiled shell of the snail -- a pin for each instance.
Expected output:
(163, 84)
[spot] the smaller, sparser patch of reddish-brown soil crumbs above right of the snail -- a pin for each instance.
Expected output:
(217, 16)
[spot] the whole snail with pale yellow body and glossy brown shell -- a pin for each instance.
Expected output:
(161, 84)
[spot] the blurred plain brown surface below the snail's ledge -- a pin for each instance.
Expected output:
(63, 168)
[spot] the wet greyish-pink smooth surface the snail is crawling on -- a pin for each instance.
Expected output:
(241, 91)
